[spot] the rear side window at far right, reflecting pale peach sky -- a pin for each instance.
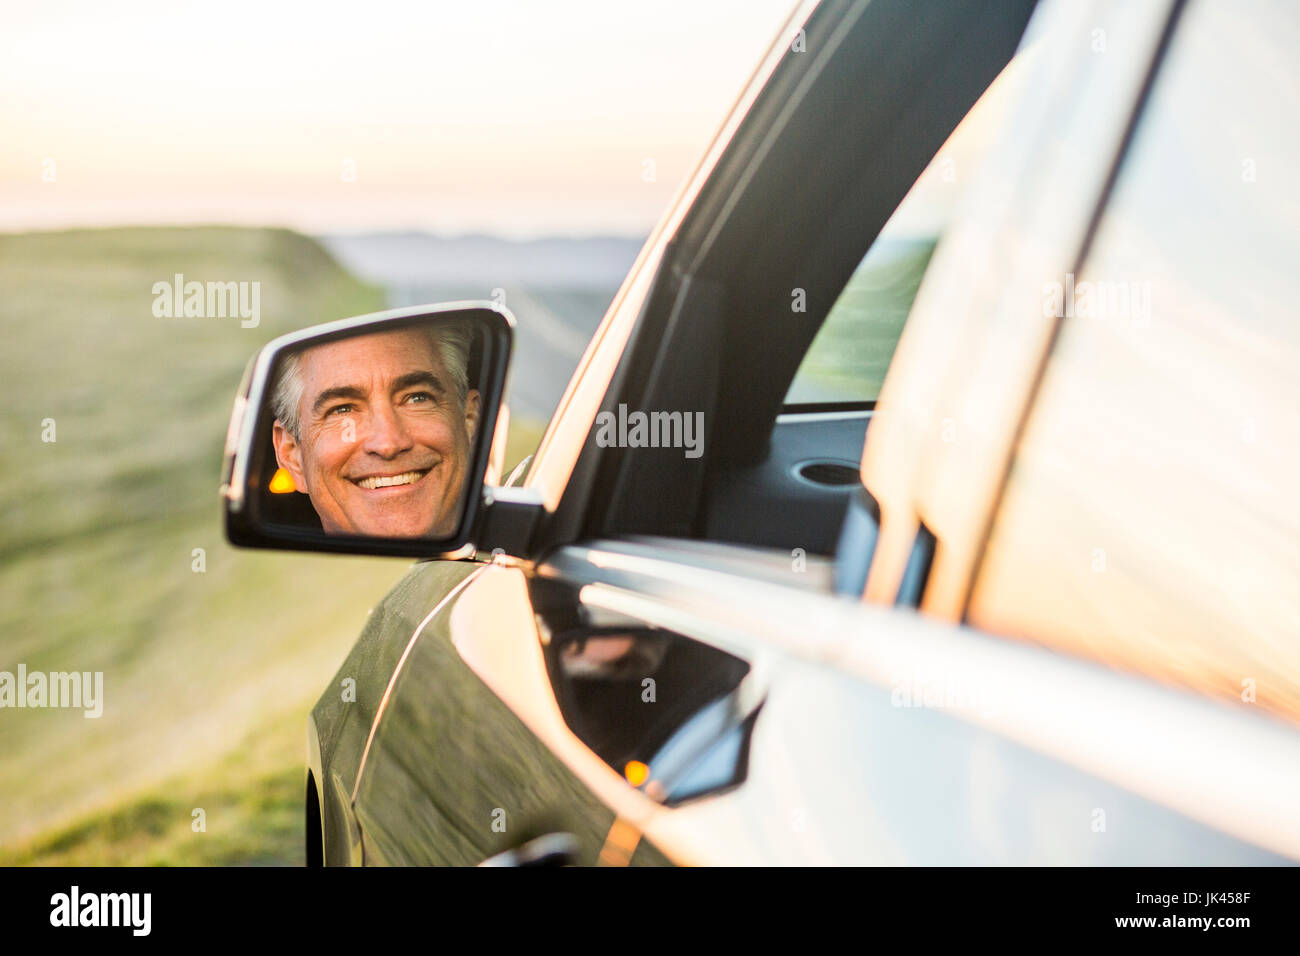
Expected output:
(1151, 517)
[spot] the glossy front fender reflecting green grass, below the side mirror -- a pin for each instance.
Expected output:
(454, 776)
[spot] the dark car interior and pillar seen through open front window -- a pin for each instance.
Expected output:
(825, 158)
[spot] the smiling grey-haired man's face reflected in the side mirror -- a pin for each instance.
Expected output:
(384, 444)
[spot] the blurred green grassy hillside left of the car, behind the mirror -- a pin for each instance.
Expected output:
(209, 674)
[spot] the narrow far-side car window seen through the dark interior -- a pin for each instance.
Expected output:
(851, 353)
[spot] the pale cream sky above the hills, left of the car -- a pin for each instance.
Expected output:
(513, 118)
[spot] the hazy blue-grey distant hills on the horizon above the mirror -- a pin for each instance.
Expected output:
(421, 258)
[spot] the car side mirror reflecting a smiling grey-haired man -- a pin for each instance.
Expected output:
(371, 435)
